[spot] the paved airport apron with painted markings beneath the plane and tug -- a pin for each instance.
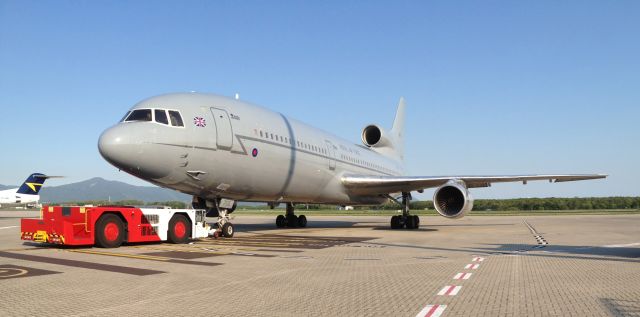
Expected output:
(339, 266)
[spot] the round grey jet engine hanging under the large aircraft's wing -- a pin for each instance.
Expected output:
(453, 200)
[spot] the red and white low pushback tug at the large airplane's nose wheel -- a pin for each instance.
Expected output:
(110, 226)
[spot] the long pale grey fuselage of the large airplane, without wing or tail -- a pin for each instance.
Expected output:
(232, 149)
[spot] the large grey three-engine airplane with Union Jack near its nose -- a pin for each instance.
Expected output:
(222, 150)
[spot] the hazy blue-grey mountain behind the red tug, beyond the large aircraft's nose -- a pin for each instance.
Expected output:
(101, 189)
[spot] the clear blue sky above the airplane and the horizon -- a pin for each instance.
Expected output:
(493, 87)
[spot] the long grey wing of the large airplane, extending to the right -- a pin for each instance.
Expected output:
(373, 185)
